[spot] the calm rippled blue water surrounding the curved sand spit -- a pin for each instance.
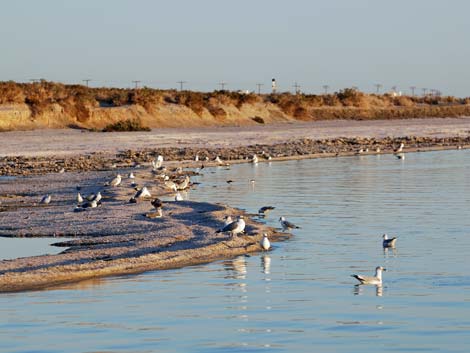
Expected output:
(300, 296)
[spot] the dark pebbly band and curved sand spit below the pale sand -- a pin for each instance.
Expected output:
(116, 238)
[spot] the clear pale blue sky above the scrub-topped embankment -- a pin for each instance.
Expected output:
(339, 43)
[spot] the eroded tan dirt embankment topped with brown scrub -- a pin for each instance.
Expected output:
(54, 105)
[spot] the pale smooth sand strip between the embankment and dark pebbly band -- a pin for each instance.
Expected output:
(72, 142)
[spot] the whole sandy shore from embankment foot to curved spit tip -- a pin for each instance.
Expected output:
(117, 237)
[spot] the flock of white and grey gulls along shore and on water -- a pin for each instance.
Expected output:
(233, 227)
